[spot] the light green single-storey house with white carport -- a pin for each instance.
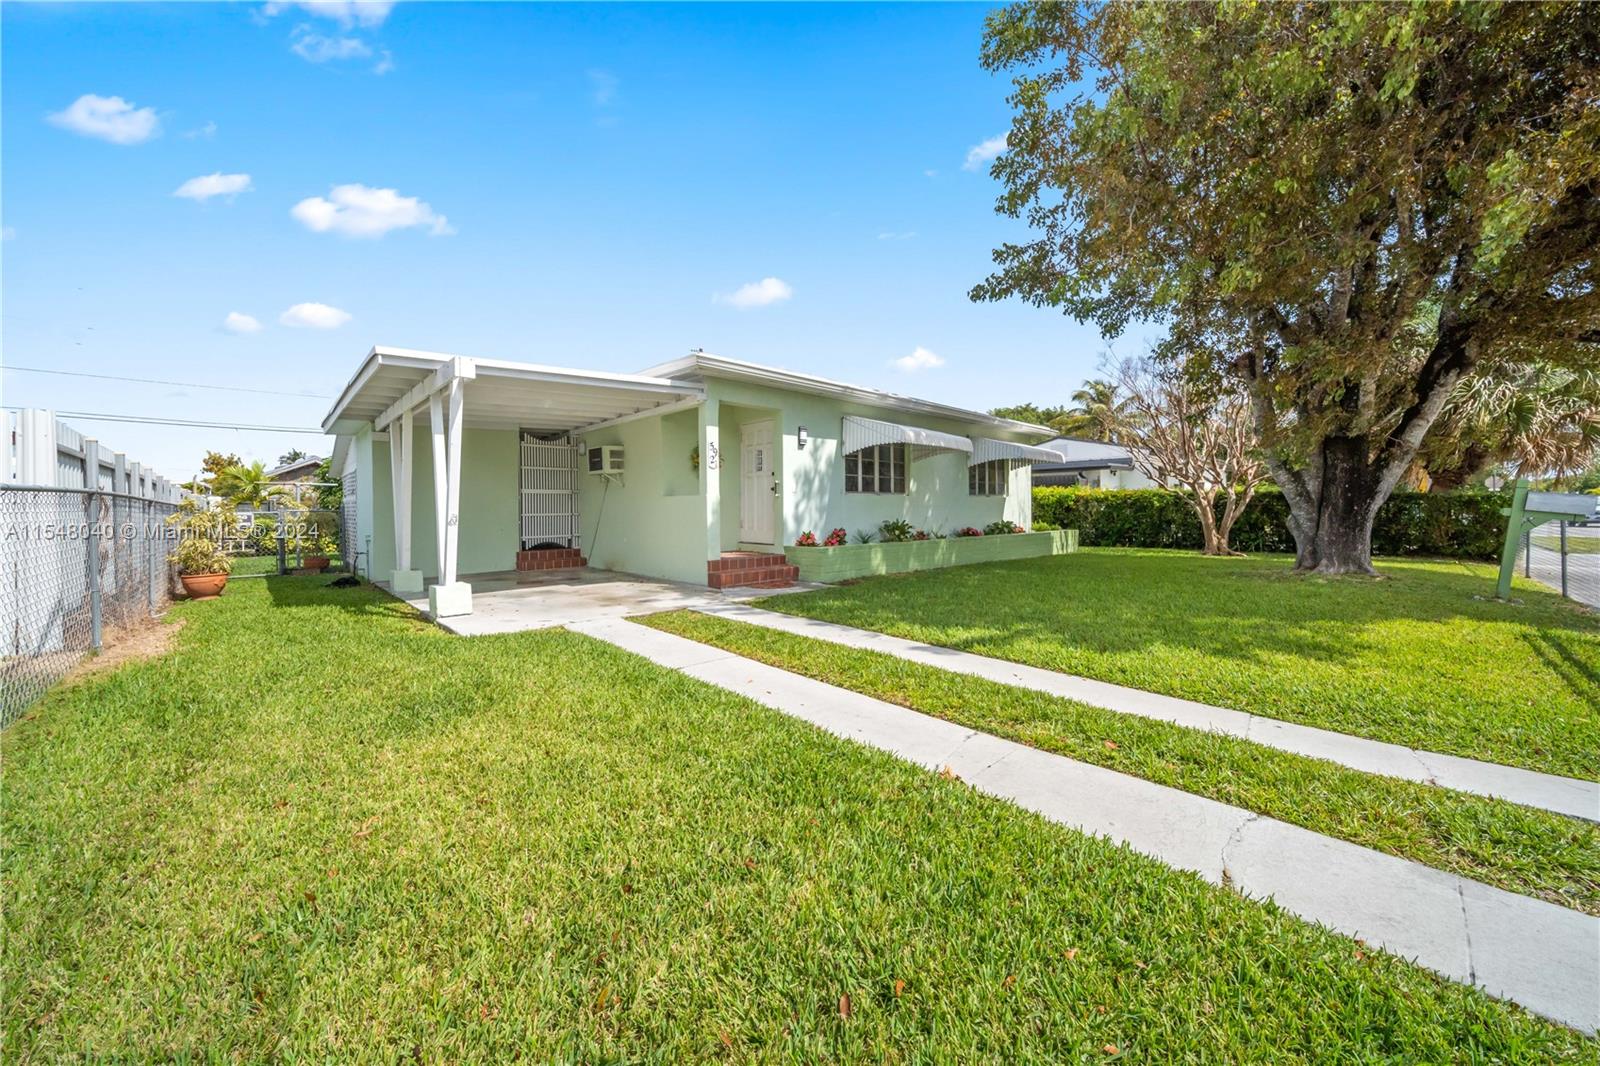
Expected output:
(660, 473)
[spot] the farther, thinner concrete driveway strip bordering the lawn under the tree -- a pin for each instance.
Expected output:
(1548, 791)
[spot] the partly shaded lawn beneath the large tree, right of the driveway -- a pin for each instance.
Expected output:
(1423, 657)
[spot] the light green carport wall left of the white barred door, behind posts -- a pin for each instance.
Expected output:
(489, 503)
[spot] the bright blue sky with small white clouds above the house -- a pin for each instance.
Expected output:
(574, 185)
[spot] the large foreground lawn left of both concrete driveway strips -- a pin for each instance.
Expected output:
(324, 830)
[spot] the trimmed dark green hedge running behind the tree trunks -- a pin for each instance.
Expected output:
(1458, 526)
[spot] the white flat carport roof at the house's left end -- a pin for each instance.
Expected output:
(500, 395)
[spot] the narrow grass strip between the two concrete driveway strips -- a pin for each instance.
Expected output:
(1503, 844)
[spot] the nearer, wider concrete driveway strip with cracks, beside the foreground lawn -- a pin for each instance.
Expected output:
(1534, 953)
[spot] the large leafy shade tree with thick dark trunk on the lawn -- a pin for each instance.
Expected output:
(1348, 209)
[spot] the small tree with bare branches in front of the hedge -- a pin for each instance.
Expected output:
(1196, 438)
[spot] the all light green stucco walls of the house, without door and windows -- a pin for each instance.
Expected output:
(663, 518)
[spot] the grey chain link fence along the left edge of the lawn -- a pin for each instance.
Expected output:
(74, 566)
